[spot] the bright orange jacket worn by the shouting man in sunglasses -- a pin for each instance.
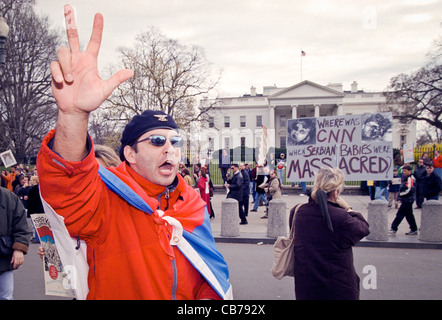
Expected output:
(129, 255)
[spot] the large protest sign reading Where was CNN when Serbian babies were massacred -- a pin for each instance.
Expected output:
(360, 145)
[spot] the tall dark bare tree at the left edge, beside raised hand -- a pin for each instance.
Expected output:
(27, 108)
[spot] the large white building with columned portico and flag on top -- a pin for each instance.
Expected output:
(238, 121)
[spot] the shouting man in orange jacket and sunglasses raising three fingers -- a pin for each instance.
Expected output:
(131, 253)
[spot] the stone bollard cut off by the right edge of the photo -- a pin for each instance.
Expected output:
(431, 221)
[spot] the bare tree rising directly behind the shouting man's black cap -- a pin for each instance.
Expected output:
(168, 76)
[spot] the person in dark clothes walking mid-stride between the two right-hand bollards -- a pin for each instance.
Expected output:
(407, 194)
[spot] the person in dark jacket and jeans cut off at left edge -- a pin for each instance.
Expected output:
(15, 235)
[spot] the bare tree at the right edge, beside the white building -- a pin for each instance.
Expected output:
(419, 94)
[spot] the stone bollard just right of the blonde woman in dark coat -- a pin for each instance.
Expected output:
(378, 220)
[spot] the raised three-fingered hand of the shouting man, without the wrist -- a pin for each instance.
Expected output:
(77, 86)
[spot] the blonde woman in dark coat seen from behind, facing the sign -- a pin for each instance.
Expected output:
(326, 228)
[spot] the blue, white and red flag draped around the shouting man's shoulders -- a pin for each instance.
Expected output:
(196, 242)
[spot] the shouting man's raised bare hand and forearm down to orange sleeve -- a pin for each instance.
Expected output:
(78, 88)
